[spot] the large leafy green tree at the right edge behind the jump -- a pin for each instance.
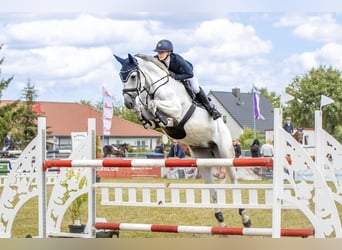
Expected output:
(307, 91)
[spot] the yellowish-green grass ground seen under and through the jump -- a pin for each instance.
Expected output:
(26, 221)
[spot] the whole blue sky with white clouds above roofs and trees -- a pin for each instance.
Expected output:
(65, 48)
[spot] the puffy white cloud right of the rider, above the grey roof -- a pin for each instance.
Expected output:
(226, 54)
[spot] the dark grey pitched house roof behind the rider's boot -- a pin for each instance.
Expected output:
(240, 107)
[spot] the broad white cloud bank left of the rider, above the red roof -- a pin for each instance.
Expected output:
(70, 52)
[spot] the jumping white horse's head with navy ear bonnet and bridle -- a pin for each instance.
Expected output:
(129, 77)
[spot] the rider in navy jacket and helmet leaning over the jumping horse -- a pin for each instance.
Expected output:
(182, 70)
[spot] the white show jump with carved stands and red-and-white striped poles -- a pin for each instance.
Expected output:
(285, 192)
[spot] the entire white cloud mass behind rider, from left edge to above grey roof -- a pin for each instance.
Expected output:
(76, 50)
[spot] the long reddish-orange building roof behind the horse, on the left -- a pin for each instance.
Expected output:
(62, 118)
